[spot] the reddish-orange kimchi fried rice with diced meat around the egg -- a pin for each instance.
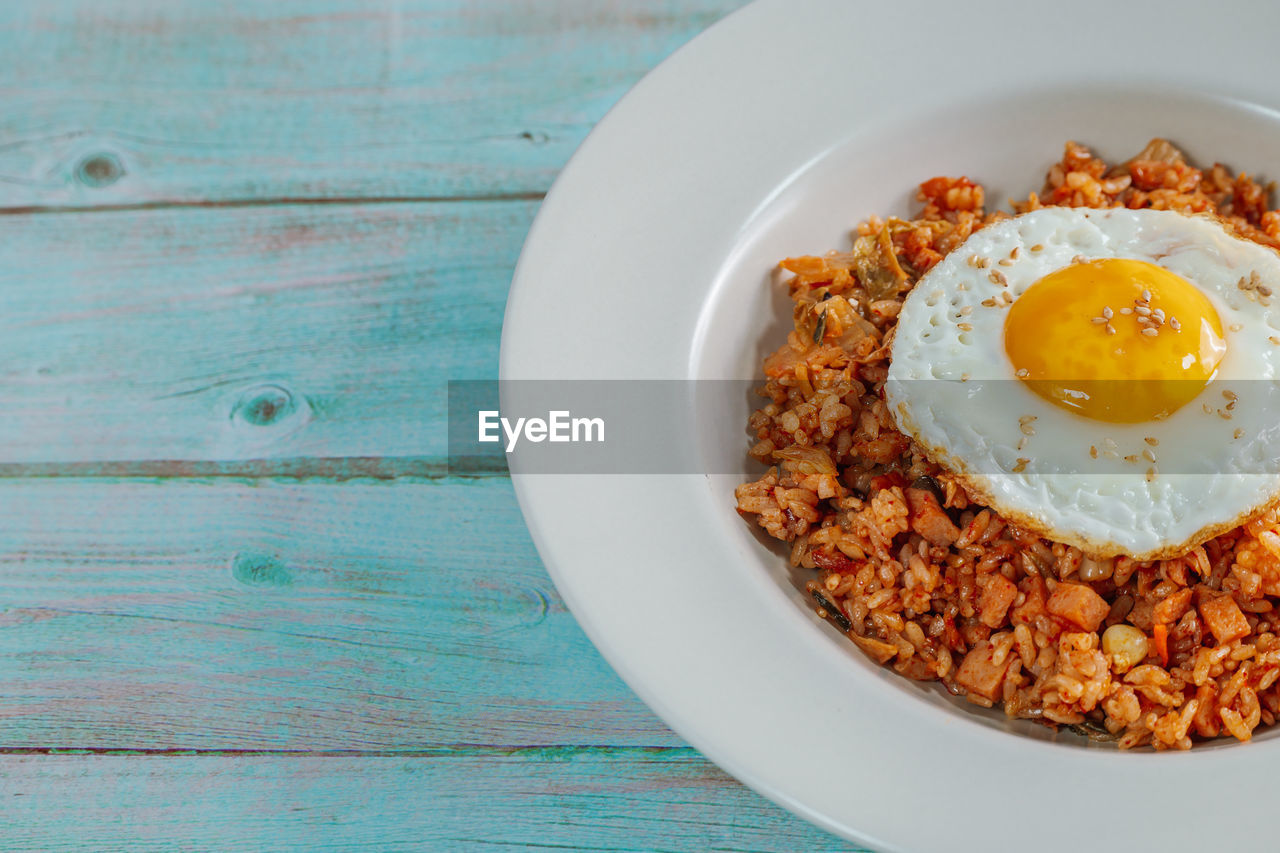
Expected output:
(926, 581)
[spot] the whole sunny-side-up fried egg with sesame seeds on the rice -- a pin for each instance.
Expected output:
(1105, 378)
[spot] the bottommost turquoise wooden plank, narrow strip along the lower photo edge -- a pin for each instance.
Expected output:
(573, 800)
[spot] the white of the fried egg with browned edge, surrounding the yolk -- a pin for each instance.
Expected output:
(954, 389)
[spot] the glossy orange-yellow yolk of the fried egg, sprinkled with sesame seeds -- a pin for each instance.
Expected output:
(1116, 340)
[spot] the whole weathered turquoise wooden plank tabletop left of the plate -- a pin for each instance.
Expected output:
(243, 604)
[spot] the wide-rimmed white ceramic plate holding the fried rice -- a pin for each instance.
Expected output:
(772, 135)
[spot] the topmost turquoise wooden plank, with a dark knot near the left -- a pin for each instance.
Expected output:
(314, 99)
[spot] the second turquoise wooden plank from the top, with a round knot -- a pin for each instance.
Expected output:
(255, 334)
